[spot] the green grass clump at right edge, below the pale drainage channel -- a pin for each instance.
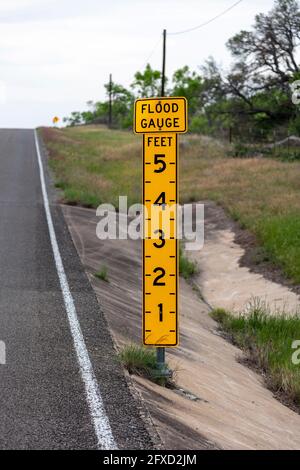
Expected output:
(268, 342)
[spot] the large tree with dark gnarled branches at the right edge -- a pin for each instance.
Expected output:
(257, 88)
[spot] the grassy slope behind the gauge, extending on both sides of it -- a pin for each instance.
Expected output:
(94, 165)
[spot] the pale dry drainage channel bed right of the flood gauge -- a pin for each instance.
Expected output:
(232, 270)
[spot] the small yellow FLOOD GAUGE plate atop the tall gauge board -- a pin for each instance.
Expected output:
(155, 115)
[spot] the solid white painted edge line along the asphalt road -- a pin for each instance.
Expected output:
(100, 420)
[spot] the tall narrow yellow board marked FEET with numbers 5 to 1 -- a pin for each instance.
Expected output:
(160, 266)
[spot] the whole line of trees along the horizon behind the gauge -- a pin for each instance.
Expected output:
(251, 99)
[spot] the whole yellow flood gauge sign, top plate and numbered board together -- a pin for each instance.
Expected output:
(160, 120)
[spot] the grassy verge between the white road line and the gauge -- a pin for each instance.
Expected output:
(93, 165)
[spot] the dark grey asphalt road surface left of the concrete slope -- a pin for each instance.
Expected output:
(44, 402)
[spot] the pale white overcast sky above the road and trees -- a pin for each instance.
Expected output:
(55, 55)
